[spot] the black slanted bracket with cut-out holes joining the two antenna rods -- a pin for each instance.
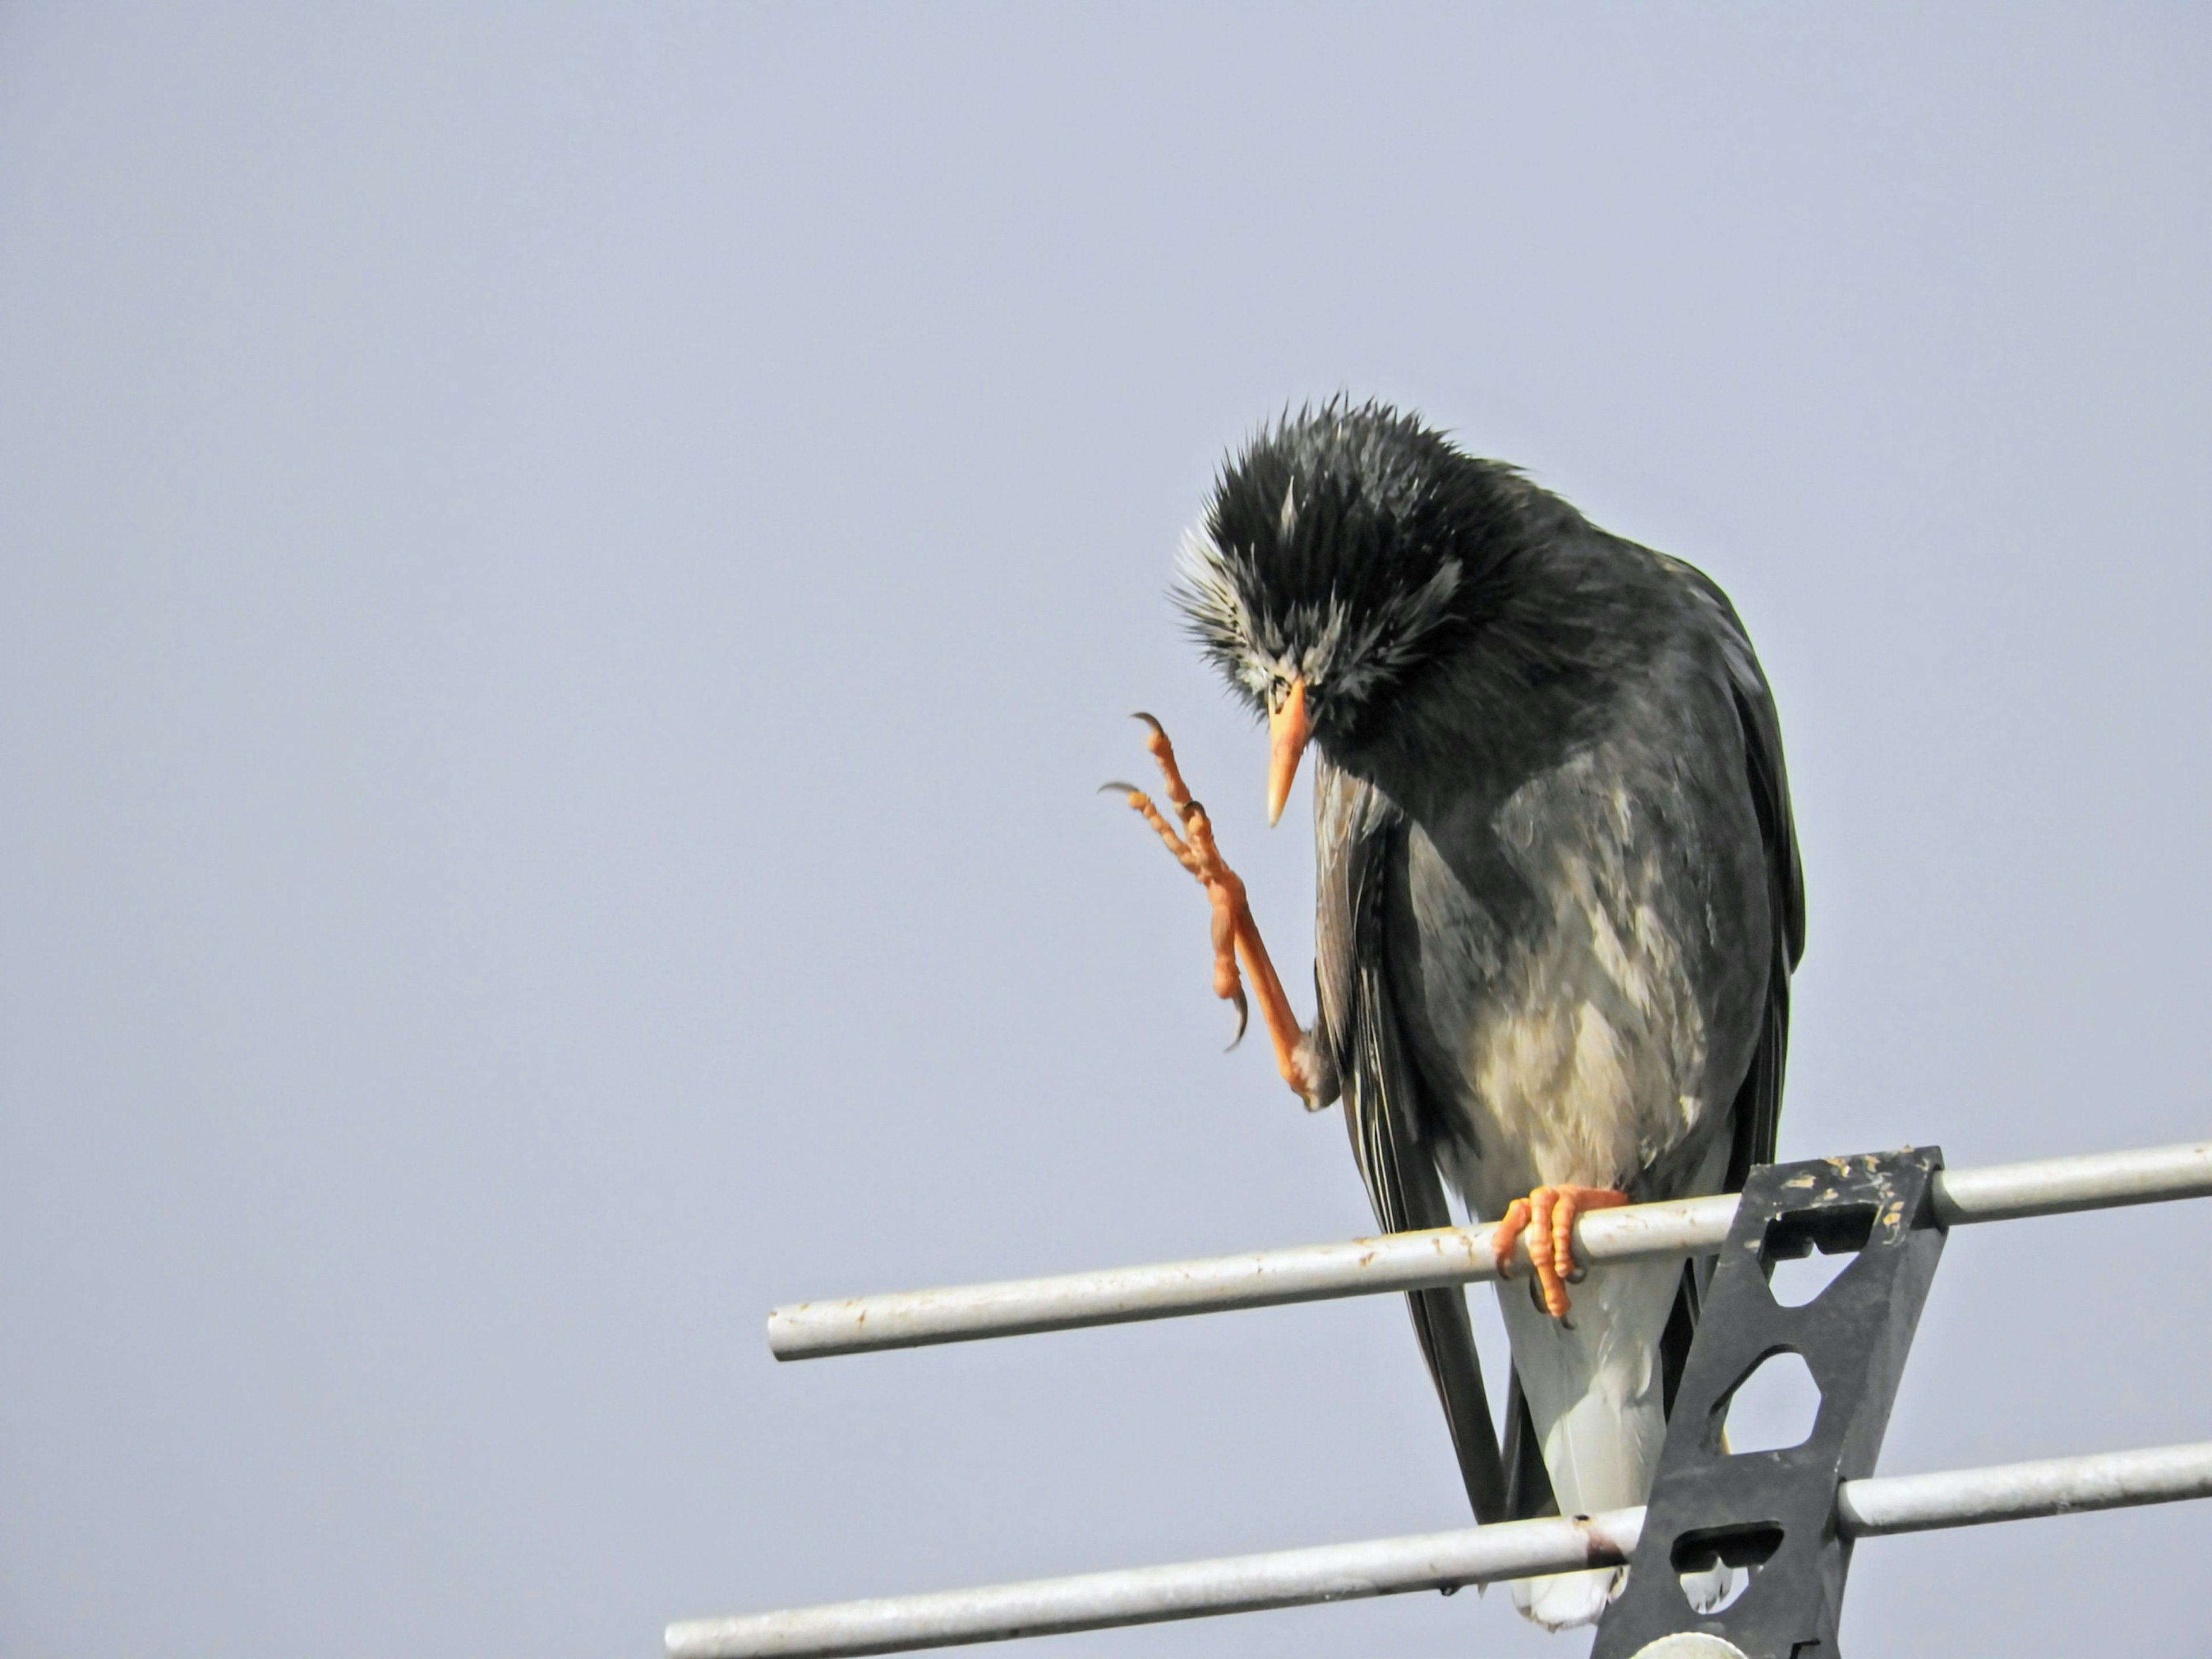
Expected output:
(1775, 1512)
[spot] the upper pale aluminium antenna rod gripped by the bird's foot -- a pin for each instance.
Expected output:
(1421, 1260)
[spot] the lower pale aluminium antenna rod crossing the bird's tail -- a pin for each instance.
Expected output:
(1426, 1563)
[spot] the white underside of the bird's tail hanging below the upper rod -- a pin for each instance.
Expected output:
(1596, 1399)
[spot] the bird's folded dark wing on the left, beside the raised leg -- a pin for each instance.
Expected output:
(1359, 1032)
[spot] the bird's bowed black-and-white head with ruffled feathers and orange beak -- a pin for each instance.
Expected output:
(1339, 556)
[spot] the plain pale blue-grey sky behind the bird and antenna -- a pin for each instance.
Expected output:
(567, 581)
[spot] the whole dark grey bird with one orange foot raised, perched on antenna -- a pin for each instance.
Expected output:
(1558, 901)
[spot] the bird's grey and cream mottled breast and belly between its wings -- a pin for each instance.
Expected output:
(1578, 961)
